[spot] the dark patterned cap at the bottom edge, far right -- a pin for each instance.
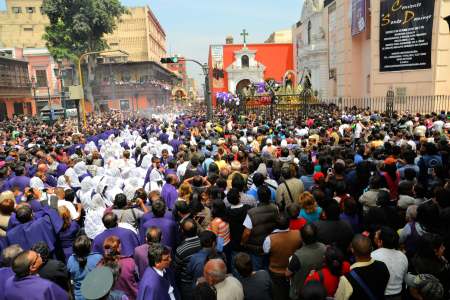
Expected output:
(430, 287)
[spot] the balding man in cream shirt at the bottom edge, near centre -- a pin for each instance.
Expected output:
(227, 287)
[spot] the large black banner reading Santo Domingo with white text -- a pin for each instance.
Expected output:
(406, 29)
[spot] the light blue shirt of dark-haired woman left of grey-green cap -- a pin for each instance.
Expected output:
(77, 274)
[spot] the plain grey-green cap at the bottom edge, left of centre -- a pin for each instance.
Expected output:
(97, 283)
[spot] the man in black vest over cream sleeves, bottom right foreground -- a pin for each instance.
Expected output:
(361, 283)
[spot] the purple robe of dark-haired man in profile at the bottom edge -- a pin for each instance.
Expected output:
(155, 287)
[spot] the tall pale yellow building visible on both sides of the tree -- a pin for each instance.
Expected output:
(137, 32)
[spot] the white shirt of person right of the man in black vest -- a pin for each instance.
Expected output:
(397, 264)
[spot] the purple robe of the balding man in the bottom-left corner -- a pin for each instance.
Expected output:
(33, 287)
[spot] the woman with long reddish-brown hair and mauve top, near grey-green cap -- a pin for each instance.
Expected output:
(128, 278)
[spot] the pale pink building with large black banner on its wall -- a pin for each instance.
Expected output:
(339, 45)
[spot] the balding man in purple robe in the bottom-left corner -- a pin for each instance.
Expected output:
(26, 285)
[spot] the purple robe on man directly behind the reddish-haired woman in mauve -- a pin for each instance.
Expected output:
(128, 240)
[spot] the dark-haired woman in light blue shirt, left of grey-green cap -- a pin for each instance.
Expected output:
(81, 262)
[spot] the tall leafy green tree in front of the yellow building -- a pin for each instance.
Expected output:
(79, 26)
